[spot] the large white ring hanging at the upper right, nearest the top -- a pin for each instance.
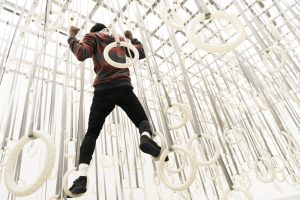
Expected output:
(220, 48)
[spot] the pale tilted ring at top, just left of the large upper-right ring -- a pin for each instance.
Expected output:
(175, 22)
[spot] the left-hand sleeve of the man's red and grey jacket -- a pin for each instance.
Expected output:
(83, 49)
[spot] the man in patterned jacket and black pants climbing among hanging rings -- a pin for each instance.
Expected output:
(112, 87)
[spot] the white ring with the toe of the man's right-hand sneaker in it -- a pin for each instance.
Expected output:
(191, 176)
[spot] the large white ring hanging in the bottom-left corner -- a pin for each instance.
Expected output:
(11, 185)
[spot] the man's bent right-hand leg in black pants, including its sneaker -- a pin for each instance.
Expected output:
(135, 111)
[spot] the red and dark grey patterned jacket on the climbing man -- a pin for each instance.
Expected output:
(93, 45)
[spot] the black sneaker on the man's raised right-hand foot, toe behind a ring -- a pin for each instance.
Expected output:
(147, 145)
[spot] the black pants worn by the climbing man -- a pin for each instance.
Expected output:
(104, 102)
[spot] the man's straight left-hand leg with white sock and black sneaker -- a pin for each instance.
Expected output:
(100, 109)
